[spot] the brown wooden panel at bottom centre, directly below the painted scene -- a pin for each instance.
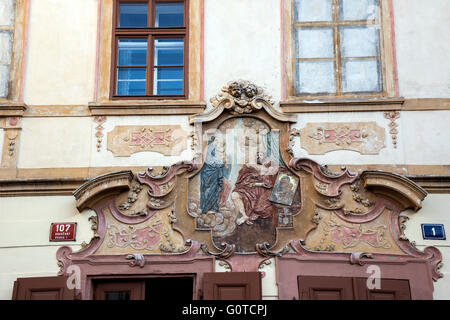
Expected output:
(232, 286)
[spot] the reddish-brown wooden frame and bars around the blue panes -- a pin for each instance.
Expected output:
(151, 33)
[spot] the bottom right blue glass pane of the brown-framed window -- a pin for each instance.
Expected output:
(168, 81)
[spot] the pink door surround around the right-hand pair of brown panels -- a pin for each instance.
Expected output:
(420, 271)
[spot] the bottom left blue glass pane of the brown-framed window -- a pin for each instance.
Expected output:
(131, 81)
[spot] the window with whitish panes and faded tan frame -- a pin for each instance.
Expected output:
(337, 48)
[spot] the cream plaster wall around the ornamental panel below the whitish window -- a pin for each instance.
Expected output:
(422, 138)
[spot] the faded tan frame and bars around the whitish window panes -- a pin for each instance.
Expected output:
(386, 55)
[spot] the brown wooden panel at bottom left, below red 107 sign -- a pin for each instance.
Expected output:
(42, 288)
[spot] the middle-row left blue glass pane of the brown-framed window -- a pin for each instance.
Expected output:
(132, 52)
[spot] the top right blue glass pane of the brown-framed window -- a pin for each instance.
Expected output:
(169, 14)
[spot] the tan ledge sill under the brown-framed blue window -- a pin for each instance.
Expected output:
(146, 107)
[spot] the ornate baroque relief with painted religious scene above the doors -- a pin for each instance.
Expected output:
(245, 199)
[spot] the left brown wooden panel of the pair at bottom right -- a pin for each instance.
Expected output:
(325, 288)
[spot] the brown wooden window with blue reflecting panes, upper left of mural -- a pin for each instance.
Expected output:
(149, 46)
